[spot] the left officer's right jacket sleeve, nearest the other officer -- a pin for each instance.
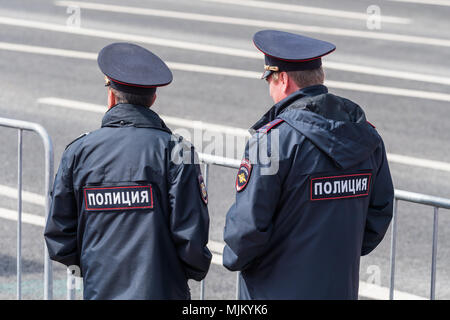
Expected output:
(189, 218)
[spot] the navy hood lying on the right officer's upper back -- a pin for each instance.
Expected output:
(337, 126)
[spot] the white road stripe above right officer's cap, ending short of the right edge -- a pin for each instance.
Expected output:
(309, 10)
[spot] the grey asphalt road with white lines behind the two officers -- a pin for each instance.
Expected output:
(396, 67)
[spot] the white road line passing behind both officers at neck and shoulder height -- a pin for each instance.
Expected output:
(185, 123)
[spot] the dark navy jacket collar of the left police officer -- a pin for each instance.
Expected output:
(125, 115)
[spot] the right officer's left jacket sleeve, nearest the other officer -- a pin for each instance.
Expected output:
(249, 225)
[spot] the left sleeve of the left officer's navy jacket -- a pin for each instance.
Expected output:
(61, 228)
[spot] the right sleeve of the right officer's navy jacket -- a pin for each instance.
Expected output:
(380, 210)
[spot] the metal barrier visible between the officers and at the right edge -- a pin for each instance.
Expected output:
(435, 202)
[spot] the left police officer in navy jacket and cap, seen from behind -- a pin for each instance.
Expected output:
(129, 204)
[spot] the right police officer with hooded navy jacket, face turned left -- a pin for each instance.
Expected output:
(298, 232)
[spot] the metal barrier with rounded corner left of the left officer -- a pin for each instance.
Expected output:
(34, 127)
